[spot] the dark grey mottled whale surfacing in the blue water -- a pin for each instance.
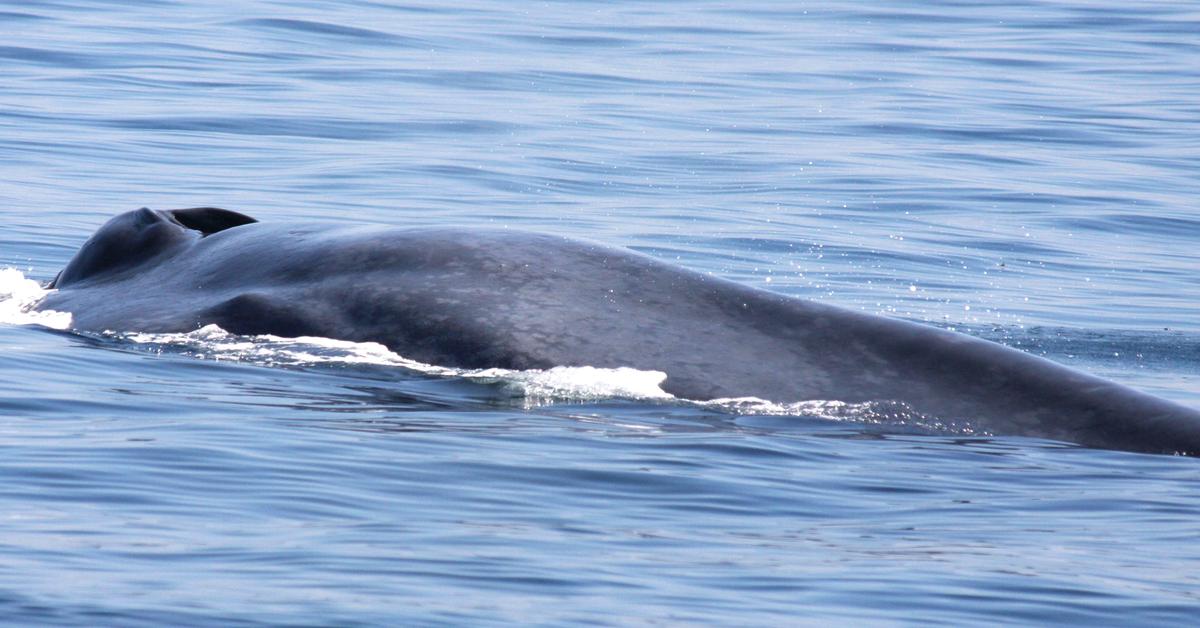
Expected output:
(475, 298)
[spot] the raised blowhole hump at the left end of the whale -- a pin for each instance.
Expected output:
(136, 238)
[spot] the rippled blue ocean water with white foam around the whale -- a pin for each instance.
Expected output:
(1019, 171)
